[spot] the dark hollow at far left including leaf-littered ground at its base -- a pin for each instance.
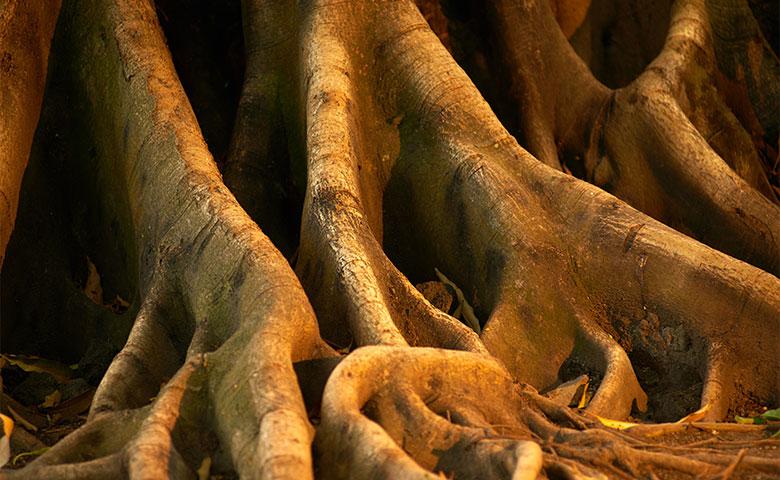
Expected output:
(69, 284)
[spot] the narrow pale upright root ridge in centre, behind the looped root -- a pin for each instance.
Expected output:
(341, 263)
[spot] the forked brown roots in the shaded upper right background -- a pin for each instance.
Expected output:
(667, 143)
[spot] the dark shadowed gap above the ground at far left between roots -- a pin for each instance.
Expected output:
(71, 237)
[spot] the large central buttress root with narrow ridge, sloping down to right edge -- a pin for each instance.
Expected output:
(563, 270)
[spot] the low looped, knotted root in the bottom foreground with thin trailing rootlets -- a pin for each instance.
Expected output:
(403, 413)
